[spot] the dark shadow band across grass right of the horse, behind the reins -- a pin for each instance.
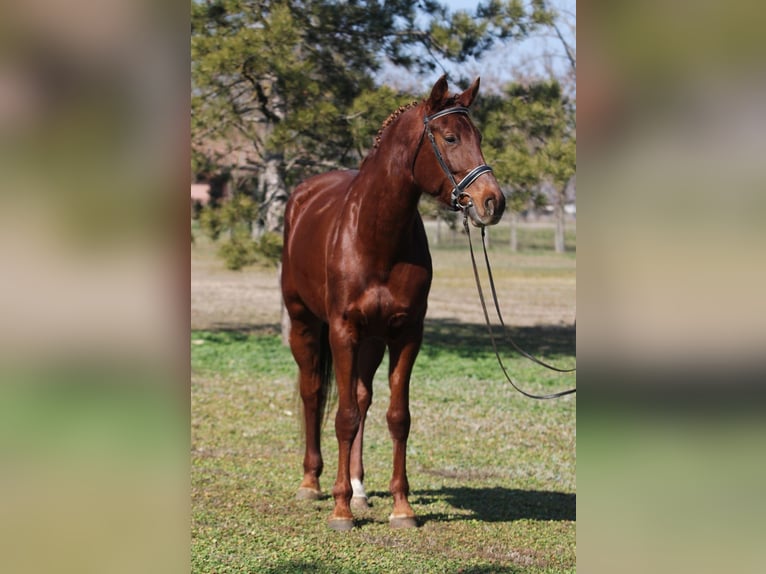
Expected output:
(472, 339)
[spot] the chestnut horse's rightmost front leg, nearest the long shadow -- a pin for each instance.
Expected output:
(404, 351)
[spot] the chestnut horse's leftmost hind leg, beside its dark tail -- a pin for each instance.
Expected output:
(310, 349)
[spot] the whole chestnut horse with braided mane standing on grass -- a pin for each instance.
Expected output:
(356, 272)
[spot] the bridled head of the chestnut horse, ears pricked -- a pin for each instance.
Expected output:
(451, 166)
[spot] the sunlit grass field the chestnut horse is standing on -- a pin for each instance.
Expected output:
(492, 474)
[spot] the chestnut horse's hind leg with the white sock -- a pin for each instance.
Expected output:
(370, 356)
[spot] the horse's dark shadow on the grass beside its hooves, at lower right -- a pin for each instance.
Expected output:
(497, 504)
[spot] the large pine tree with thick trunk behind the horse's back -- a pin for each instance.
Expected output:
(282, 89)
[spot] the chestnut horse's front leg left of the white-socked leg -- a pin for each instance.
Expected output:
(347, 420)
